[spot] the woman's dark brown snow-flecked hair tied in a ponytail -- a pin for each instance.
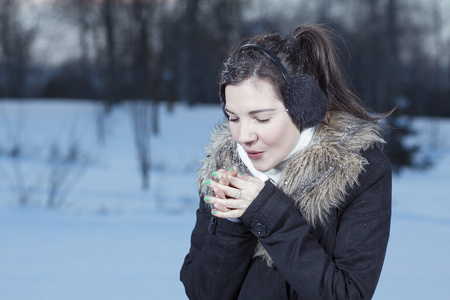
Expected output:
(311, 50)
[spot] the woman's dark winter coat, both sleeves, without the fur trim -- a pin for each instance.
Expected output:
(339, 260)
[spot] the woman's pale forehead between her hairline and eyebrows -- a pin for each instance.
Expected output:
(252, 92)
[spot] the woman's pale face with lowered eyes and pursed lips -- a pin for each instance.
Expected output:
(260, 123)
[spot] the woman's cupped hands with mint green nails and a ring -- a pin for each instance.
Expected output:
(234, 193)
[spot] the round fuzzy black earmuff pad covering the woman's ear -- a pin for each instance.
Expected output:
(305, 101)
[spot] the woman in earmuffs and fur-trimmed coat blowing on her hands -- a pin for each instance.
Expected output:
(295, 191)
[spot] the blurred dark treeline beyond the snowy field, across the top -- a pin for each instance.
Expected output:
(395, 51)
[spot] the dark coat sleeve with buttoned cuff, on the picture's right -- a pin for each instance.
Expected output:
(350, 270)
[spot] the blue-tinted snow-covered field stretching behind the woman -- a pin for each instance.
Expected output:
(107, 238)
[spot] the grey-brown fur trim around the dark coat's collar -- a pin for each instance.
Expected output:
(318, 177)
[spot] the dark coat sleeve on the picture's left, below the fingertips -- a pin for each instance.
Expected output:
(218, 259)
